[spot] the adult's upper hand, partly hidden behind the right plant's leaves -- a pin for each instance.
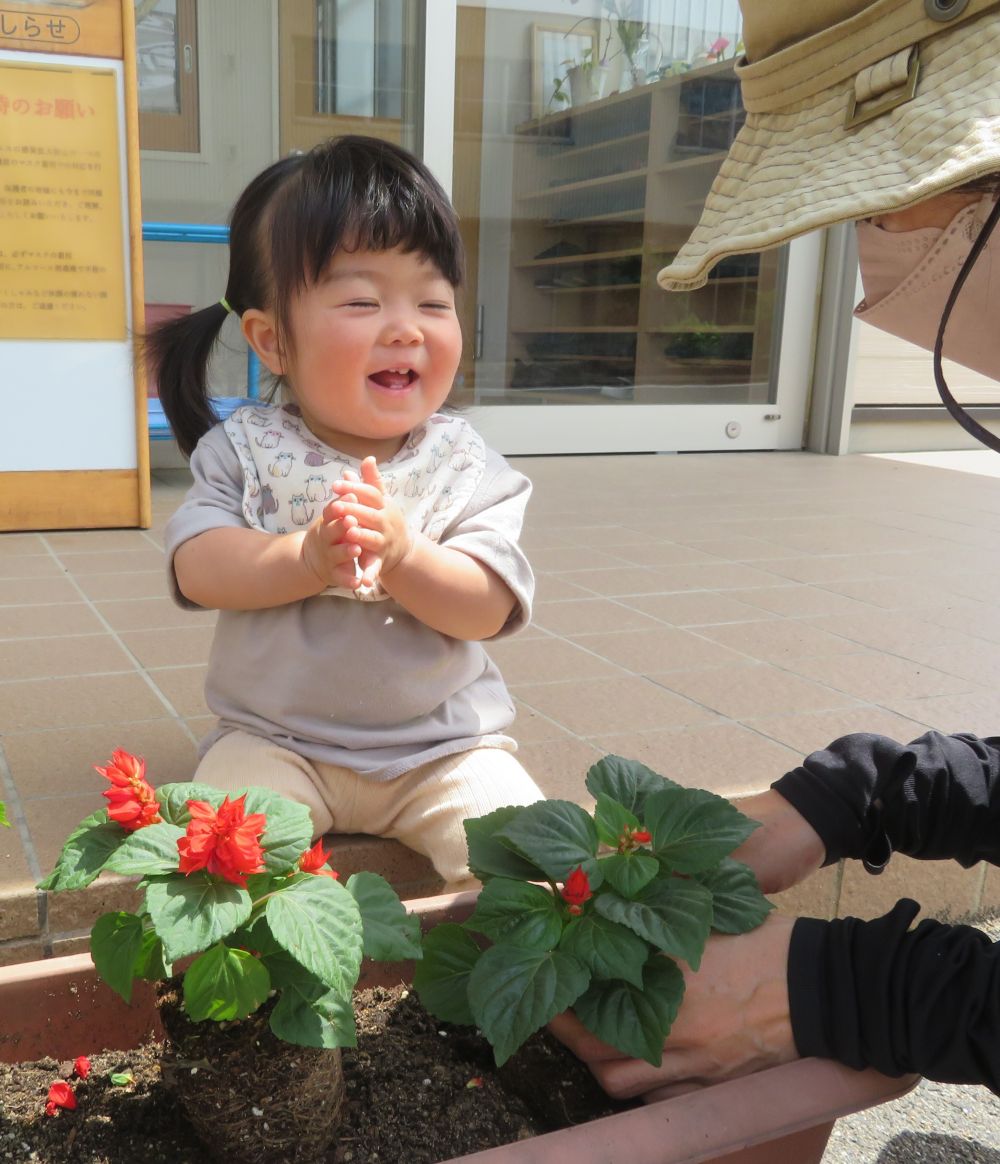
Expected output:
(785, 850)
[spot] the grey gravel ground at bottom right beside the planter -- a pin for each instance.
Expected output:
(935, 1124)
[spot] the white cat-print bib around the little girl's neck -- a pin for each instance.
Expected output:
(289, 475)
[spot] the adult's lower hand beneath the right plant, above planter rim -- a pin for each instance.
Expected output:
(734, 1021)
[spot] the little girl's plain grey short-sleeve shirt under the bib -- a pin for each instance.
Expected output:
(363, 685)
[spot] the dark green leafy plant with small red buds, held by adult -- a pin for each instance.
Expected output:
(626, 891)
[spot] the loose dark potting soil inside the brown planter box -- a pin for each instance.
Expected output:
(419, 1092)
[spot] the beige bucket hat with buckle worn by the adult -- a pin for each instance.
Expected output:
(853, 109)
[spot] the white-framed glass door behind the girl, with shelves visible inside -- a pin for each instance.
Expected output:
(583, 152)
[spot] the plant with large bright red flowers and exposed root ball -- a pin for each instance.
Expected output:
(256, 946)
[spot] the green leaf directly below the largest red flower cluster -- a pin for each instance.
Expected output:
(194, 914)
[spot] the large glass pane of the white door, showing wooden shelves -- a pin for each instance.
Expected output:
(583, 162)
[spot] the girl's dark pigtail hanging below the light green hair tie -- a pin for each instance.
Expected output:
(176, 354)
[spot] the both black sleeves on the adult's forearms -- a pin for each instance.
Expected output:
(878, 993)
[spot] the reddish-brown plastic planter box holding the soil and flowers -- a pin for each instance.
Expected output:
(59, 1009)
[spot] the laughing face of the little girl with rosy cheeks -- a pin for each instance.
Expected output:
(377, 345)
